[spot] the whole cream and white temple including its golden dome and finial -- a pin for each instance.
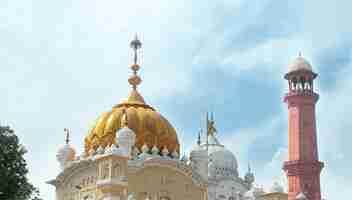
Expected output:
(132, 153)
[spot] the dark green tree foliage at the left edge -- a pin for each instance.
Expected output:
(14, 184)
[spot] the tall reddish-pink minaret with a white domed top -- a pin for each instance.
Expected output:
(303, 166)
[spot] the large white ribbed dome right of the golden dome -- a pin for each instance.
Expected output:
(222, 162)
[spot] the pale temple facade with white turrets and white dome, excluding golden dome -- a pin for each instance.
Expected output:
(210, 167)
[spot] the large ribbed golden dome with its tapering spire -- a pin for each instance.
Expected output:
(149, 126)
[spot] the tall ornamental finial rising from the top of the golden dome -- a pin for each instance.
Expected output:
(135, 80)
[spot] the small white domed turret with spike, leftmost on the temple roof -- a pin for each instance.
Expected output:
(66, 153)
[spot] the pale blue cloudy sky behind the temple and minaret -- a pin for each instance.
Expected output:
(64, 62)
